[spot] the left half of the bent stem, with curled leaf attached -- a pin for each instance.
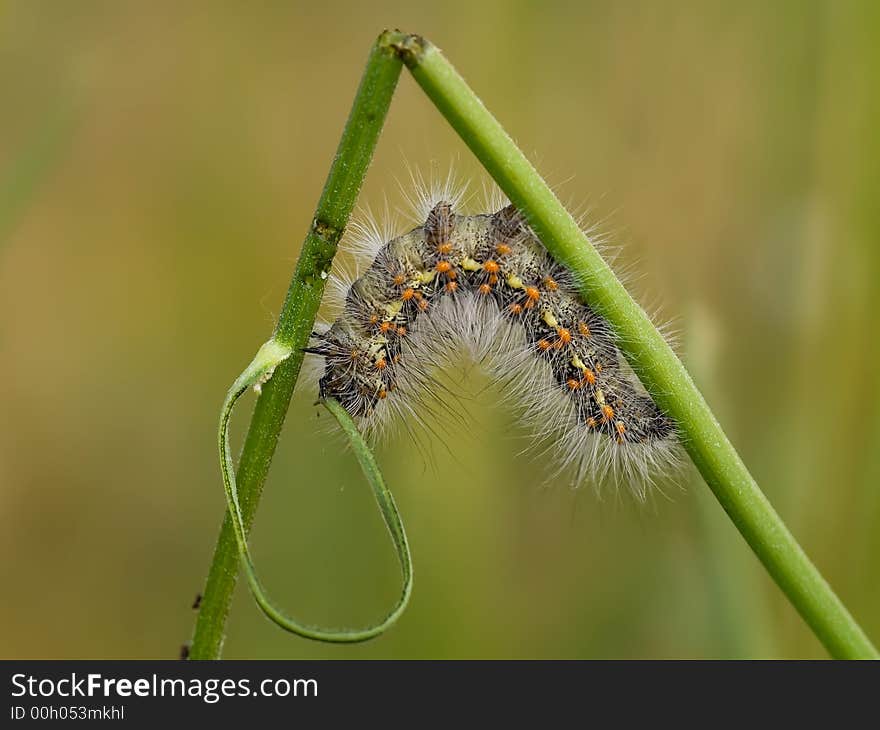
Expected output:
(294, 326)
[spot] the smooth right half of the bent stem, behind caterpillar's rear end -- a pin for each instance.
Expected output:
(650, 355)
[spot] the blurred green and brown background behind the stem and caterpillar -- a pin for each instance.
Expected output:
(159, 165)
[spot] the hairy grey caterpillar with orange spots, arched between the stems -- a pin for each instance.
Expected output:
(483, 286)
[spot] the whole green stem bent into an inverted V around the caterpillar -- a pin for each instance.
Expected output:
(655, 362)
